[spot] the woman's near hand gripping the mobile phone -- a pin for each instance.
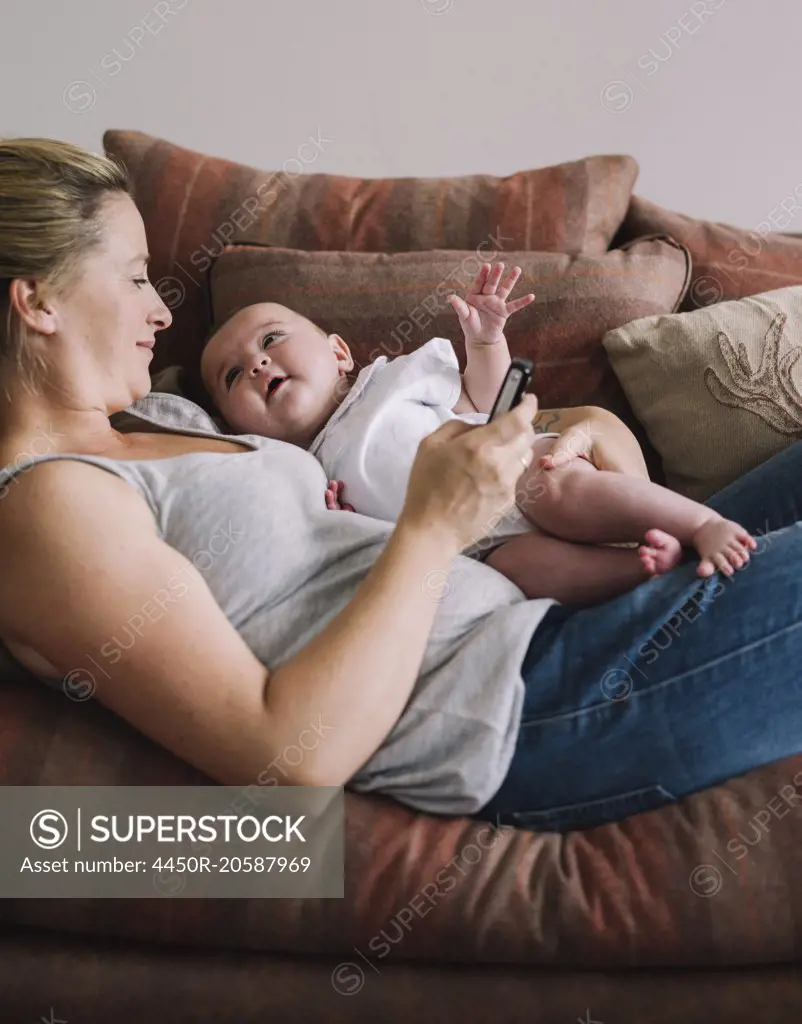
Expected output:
(465, 478)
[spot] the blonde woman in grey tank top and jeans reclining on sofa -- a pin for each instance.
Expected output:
(227, 614)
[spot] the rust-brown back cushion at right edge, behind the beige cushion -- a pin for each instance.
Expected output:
(729, 263)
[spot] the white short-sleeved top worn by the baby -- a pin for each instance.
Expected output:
(371, 441)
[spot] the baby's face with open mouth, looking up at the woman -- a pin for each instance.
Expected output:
(261, 346)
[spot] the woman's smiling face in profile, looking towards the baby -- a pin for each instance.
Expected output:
(108, 318)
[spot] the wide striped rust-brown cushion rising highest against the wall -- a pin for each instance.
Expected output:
(194, 205)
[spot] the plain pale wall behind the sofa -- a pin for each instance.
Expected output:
(705, 96)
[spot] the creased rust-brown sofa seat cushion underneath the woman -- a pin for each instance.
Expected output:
(710, 881)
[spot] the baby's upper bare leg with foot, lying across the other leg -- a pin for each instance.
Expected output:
(578, 502)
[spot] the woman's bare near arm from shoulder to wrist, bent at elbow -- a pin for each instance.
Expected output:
(82, 561)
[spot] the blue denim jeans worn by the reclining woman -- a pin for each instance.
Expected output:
(677, 687)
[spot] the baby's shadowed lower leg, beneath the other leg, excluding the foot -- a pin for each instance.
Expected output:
(572, 574)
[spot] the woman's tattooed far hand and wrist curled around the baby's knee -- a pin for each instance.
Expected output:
(598, 436)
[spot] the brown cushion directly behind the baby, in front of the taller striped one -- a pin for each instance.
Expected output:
(387, 305)
